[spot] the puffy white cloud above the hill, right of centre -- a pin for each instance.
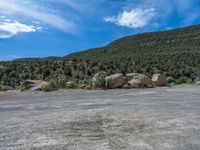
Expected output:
(135, 18)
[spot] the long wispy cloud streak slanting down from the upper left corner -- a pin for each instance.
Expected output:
(38, 11)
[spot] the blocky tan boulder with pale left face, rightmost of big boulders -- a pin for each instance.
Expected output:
(159, 80)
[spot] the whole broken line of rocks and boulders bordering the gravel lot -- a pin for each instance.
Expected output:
(101, 80)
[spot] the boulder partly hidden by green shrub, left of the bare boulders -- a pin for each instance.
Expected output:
(98, 81)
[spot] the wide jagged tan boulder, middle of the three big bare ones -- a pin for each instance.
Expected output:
(138, 80)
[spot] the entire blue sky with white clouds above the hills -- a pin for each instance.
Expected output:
(41, 28)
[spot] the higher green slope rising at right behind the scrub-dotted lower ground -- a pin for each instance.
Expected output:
(172, 41)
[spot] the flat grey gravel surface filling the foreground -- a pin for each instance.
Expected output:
(146, 119)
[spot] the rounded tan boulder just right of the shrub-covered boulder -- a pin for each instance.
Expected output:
(114, 81)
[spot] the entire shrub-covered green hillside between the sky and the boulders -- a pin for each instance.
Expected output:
(175, 53)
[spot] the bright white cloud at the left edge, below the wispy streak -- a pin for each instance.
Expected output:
(9, 29)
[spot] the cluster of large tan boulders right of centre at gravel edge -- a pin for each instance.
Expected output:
(132, 80)
